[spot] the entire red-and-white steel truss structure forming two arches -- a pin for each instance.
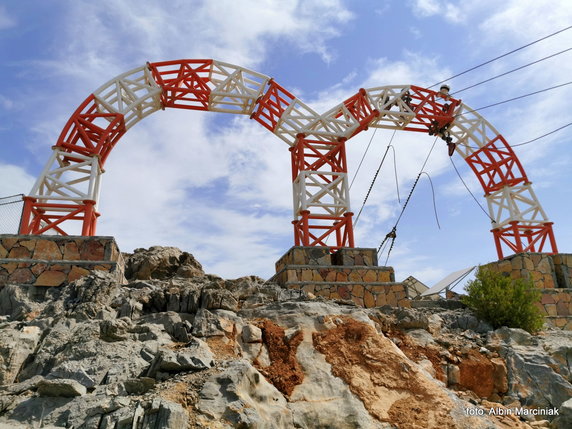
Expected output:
(68, 187)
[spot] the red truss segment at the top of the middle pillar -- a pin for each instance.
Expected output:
(314, 155)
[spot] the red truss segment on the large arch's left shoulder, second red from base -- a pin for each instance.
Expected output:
(90, 132)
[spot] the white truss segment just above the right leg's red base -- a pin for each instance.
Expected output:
(515, 203)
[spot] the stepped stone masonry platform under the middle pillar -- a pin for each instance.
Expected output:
(351, 274)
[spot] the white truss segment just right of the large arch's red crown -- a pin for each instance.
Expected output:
(236, 89)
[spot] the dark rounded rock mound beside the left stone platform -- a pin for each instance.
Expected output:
(159, 262)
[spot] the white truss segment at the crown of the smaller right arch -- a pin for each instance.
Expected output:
(394, 112)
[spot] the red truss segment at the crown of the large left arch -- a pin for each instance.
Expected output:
(185, 83)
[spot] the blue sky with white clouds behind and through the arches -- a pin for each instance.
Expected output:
(219, 186)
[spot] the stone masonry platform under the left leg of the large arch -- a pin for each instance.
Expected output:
(40, 260)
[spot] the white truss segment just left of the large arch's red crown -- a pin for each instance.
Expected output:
(134, 94)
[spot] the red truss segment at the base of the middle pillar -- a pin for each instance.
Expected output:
(313, 230)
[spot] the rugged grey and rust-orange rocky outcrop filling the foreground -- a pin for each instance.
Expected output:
(177, 348)
